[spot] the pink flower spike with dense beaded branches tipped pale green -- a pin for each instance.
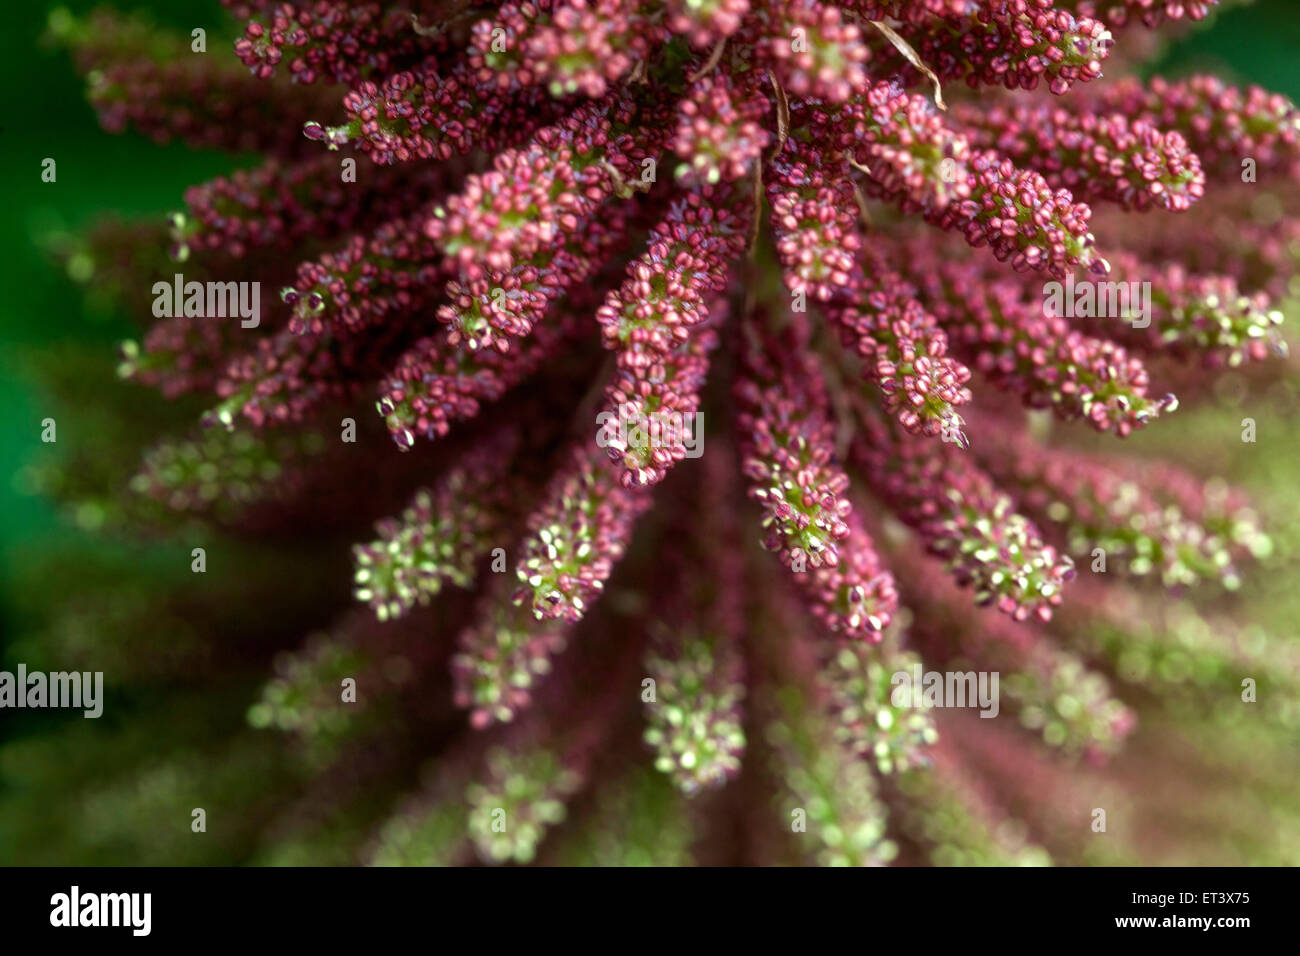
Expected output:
(821, 236)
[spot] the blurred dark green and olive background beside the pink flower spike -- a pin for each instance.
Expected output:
(110, 791)
